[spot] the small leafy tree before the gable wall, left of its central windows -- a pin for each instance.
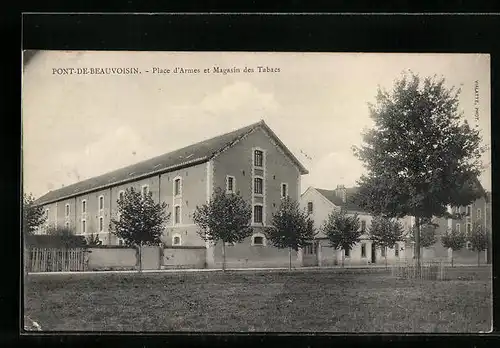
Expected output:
(226, 217)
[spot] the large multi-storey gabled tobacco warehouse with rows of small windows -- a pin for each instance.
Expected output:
(251, 160)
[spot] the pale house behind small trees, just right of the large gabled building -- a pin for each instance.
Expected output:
(319, 203)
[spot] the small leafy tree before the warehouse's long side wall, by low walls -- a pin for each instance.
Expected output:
(141, 220)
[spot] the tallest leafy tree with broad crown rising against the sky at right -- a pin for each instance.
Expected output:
(421, 155)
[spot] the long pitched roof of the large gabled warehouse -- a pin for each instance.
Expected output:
(184, 157)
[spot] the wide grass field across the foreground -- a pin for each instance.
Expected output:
(324, 300)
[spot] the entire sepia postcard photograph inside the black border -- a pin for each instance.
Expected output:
(256, 192)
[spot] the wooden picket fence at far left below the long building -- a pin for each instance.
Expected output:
(56, 260)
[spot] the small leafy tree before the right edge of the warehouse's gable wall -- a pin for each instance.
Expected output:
(290, 228)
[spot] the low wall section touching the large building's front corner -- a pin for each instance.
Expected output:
(183, 257)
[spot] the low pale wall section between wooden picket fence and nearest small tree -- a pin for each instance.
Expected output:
(111, 258)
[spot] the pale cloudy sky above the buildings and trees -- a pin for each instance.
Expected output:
(79, 126)
